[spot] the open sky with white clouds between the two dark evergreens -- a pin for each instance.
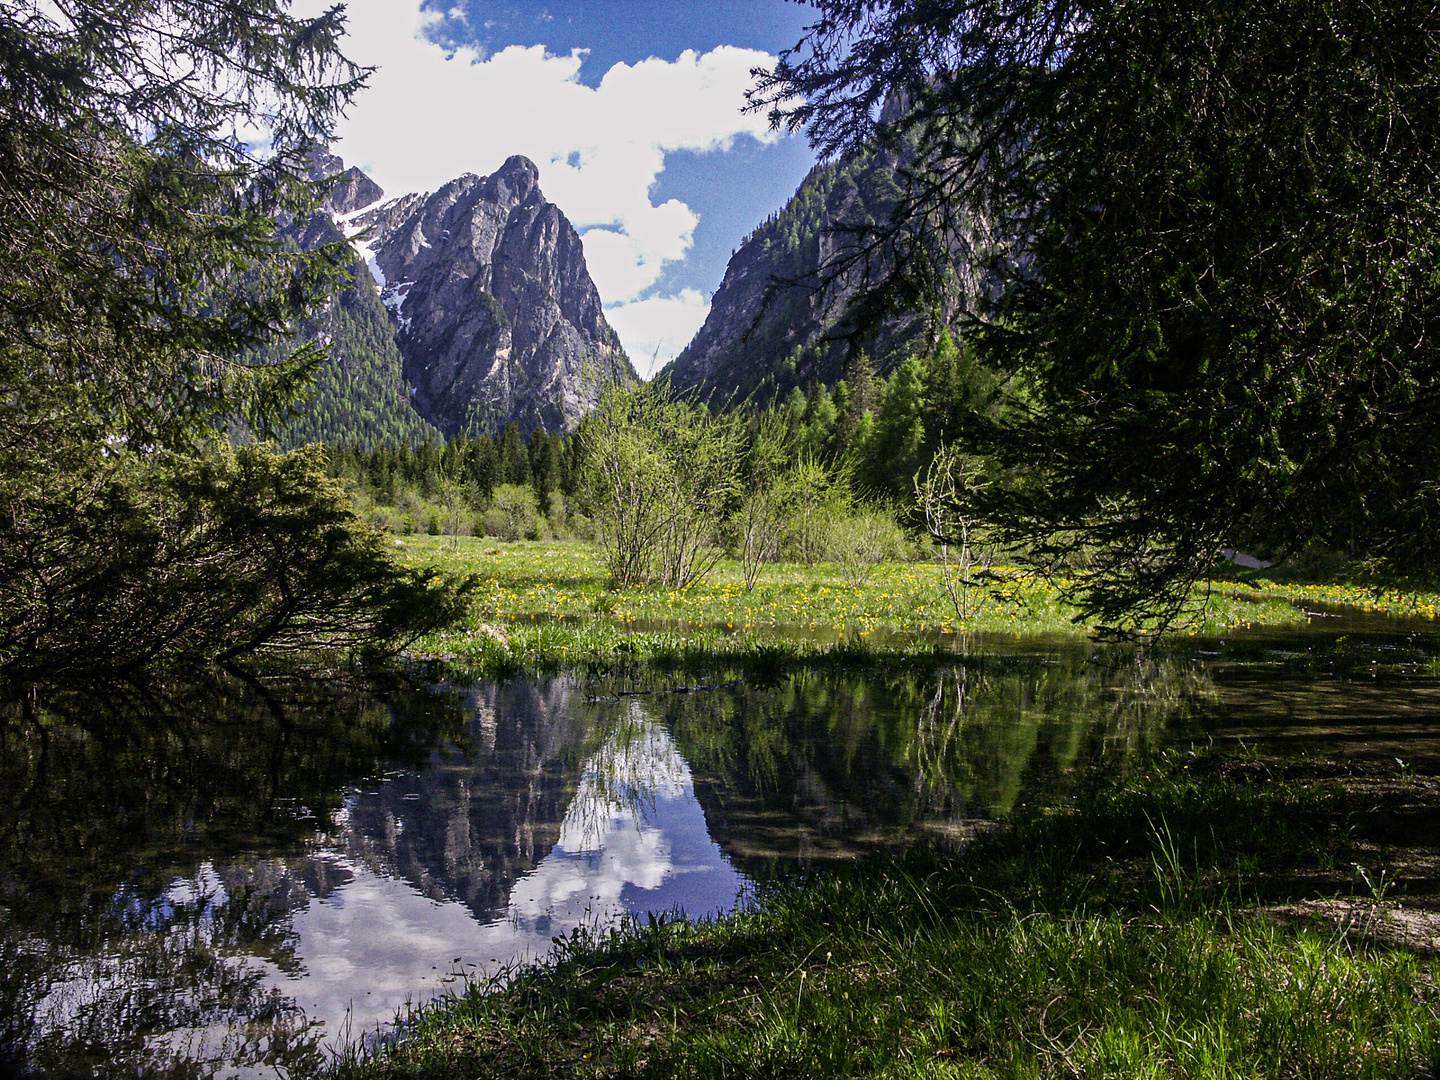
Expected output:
(633, 112)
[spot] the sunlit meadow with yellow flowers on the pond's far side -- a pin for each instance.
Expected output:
(548, 604)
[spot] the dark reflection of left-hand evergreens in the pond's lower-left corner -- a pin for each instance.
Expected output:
(155, 846)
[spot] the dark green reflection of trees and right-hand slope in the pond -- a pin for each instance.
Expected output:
(829, 767)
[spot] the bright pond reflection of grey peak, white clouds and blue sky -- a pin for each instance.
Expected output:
(411, 914)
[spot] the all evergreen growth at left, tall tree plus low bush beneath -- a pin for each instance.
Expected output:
(145, 292)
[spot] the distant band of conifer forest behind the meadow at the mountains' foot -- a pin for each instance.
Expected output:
(865, 441)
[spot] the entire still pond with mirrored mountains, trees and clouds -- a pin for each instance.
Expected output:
(237, 876)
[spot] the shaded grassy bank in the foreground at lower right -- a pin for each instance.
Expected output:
(1150, 931)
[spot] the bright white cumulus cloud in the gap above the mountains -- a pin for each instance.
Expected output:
(433, 113)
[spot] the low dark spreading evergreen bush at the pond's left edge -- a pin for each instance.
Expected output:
(165, 561)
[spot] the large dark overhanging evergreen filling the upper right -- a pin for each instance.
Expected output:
(1219, 227)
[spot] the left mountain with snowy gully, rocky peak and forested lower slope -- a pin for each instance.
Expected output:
(469, 309)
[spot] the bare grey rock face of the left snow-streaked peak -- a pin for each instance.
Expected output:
(495, 310)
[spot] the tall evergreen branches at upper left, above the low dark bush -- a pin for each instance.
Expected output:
(140, 258)
